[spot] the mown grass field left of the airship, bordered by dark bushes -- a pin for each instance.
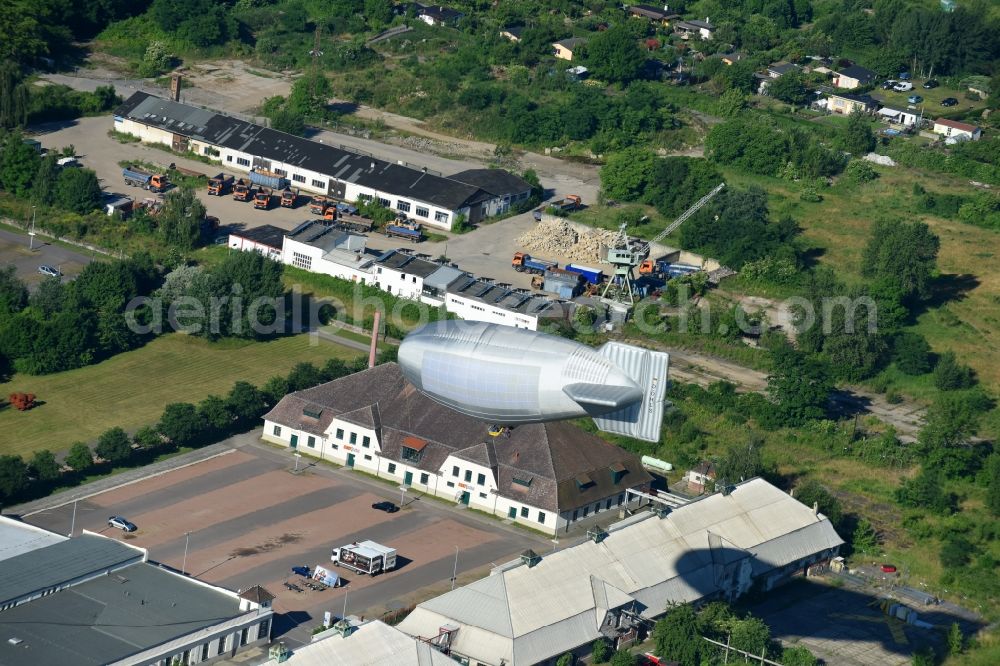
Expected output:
(131, 389)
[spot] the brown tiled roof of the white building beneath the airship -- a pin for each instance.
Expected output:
(549, 455)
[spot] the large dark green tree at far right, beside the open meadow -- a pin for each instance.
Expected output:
(903, 256)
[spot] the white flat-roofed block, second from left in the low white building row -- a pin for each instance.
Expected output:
(318, 246)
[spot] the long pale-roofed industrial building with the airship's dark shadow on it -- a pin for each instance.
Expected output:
(537, 608)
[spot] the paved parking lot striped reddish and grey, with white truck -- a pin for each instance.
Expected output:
(245, 519)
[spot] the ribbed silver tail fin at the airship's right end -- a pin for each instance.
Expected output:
(648, 369)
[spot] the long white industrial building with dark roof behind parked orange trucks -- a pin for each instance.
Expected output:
(315, 167)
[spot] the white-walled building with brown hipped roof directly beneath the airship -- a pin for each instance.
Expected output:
(545, 476)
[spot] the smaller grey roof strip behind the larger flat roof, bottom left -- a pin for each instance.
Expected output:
(49, 567)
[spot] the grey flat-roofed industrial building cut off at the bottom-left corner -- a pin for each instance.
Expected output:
(94, 600)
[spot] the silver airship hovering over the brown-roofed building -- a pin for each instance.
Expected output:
(511, 376)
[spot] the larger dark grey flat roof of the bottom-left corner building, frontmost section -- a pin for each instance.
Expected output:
(110, 618)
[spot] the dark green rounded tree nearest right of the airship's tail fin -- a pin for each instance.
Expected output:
(799, 384)
